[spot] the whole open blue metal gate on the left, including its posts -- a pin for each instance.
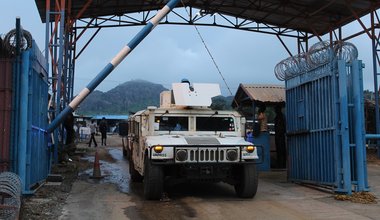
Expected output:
(31, 155)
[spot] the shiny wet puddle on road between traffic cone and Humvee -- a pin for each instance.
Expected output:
(115, 173)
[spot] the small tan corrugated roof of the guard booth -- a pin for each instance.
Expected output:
(264, 93)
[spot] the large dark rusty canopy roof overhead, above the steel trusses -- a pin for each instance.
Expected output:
(312, 16)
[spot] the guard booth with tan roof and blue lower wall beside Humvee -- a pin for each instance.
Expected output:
(248, 99)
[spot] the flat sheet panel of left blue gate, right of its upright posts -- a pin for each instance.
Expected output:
(38, 154)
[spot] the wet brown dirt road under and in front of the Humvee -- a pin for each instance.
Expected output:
(115, 197)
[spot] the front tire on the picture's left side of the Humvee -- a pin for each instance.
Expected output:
(153, 180)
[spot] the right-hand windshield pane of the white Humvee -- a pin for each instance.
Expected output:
(215, 124)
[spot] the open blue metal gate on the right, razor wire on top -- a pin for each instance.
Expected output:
(325, 120)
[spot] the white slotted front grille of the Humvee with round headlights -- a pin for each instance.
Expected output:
(207, 154)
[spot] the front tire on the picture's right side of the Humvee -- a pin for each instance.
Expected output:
(247, 181)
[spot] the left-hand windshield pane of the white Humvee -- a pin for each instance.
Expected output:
(171, 123)
